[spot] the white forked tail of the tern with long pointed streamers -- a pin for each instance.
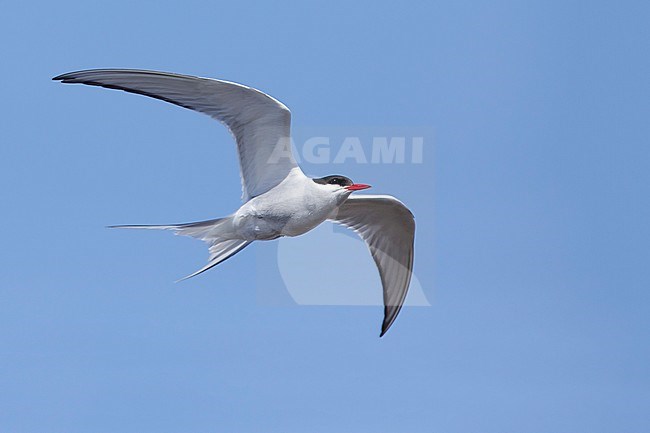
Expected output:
(217, 233)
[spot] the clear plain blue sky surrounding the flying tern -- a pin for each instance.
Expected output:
(531, 204)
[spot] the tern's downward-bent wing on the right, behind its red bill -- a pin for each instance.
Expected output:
(388, 227)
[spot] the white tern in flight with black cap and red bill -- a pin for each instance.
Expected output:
(278, 198)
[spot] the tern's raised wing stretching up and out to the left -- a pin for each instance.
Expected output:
(258, 122)
